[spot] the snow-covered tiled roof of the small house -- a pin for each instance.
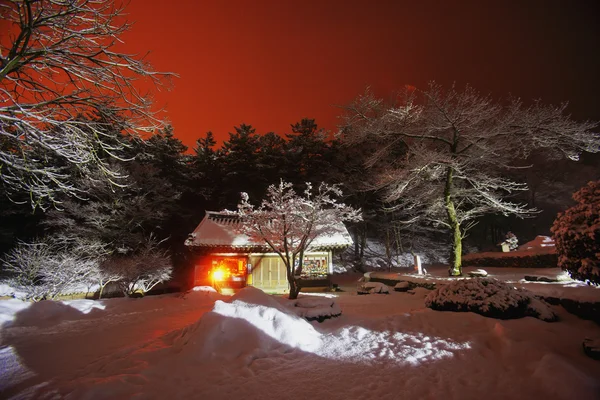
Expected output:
(219, 229)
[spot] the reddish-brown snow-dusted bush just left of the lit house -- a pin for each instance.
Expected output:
(141, 271)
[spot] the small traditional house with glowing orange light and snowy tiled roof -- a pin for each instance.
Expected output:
(225, 257)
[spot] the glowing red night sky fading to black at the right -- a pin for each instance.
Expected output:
(270, 63)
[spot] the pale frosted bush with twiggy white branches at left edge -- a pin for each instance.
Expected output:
(49, 267)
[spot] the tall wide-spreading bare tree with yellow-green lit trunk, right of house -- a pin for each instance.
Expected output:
(442, 155)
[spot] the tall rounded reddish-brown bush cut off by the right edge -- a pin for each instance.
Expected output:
(577, 235)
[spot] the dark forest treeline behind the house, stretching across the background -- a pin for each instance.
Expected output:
(164, 191)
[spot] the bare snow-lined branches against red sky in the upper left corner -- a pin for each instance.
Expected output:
(61, 85)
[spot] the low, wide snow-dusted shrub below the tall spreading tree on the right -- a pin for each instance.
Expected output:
(490, 298)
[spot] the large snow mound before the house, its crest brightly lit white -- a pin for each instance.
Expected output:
(249, 326)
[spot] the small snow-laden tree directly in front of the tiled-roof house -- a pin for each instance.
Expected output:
(289, 222)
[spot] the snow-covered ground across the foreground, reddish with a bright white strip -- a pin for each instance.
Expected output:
(207, 346)
